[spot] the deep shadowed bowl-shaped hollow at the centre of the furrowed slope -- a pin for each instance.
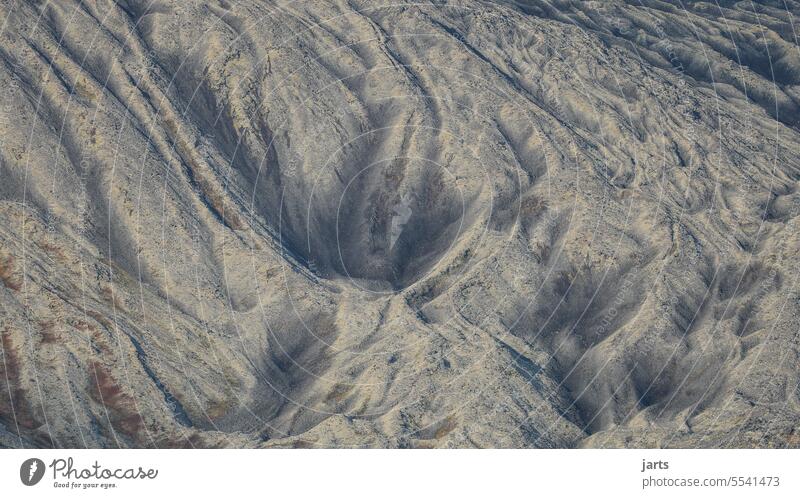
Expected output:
(387, 225)
